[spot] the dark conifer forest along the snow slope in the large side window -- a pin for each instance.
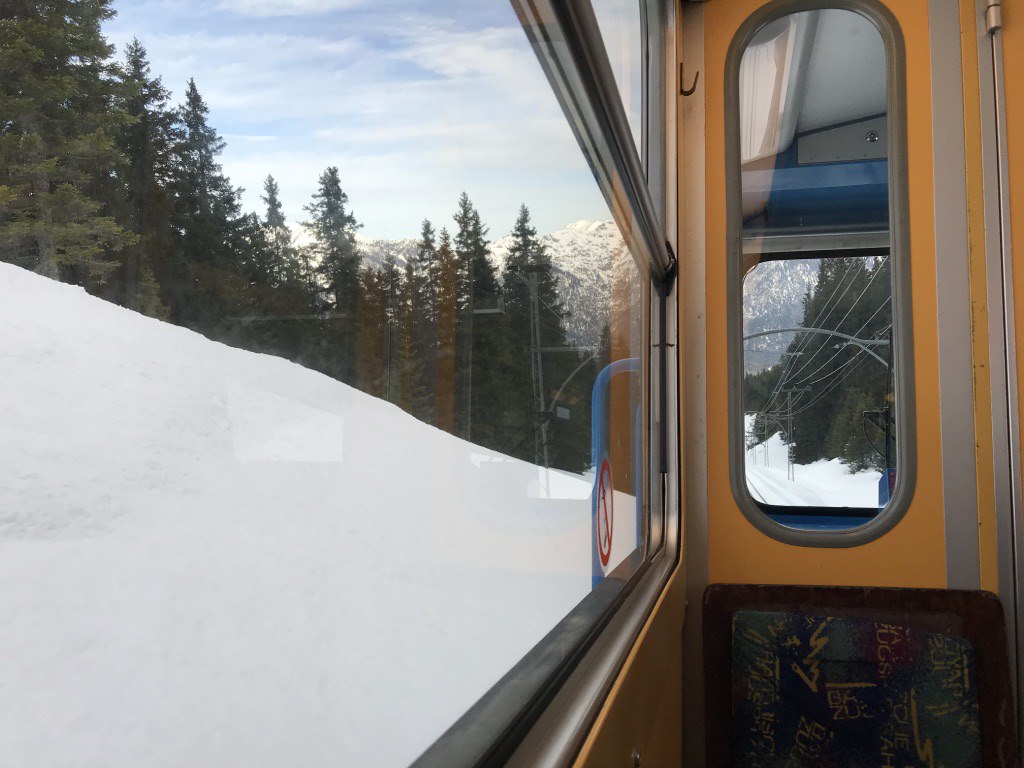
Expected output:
(108, 184)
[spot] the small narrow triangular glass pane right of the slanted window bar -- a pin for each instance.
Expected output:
(622, 30)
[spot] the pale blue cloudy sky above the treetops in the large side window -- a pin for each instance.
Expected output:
(415, 101)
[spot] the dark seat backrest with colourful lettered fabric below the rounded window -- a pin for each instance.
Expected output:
(822, 676)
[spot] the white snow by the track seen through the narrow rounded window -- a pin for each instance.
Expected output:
(824, 484)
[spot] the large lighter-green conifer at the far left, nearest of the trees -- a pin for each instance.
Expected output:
(59, 157)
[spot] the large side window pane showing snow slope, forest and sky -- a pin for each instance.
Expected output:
(351, 411)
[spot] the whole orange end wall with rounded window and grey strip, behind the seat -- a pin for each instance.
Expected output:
(846, 371)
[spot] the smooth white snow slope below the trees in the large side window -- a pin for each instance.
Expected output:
(217, 559)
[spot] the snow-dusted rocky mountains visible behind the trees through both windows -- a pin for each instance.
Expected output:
(585, 257)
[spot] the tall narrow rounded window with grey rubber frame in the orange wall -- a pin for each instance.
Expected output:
(822, 418)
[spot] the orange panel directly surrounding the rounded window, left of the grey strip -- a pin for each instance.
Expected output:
(914, 553)
